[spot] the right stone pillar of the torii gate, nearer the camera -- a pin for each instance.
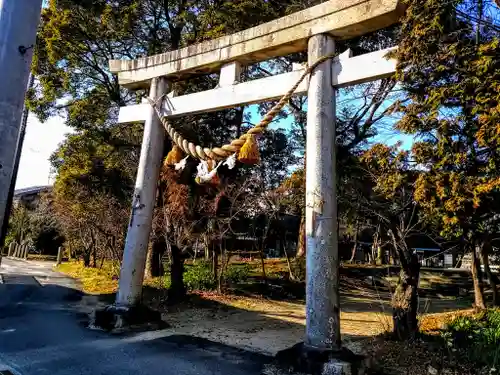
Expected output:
(322, 260)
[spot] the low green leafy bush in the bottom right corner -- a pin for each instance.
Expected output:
(476, 338)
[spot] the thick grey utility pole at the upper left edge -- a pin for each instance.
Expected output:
(18, 25)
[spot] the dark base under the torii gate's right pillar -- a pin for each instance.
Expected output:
(302, 359)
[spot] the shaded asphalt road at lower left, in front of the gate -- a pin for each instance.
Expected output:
(42, 332)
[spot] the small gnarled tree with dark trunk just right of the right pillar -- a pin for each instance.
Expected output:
(391, 202)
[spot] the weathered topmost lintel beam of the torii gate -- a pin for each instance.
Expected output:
(342, 19)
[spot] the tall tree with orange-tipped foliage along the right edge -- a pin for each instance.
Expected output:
(448, 66)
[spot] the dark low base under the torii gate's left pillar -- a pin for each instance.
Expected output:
(117, 319)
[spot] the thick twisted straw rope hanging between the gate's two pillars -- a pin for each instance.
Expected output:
(219, 153)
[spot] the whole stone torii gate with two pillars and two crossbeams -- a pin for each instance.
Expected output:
(314, 29)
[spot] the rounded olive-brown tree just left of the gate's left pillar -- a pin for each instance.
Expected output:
(91, 194)
